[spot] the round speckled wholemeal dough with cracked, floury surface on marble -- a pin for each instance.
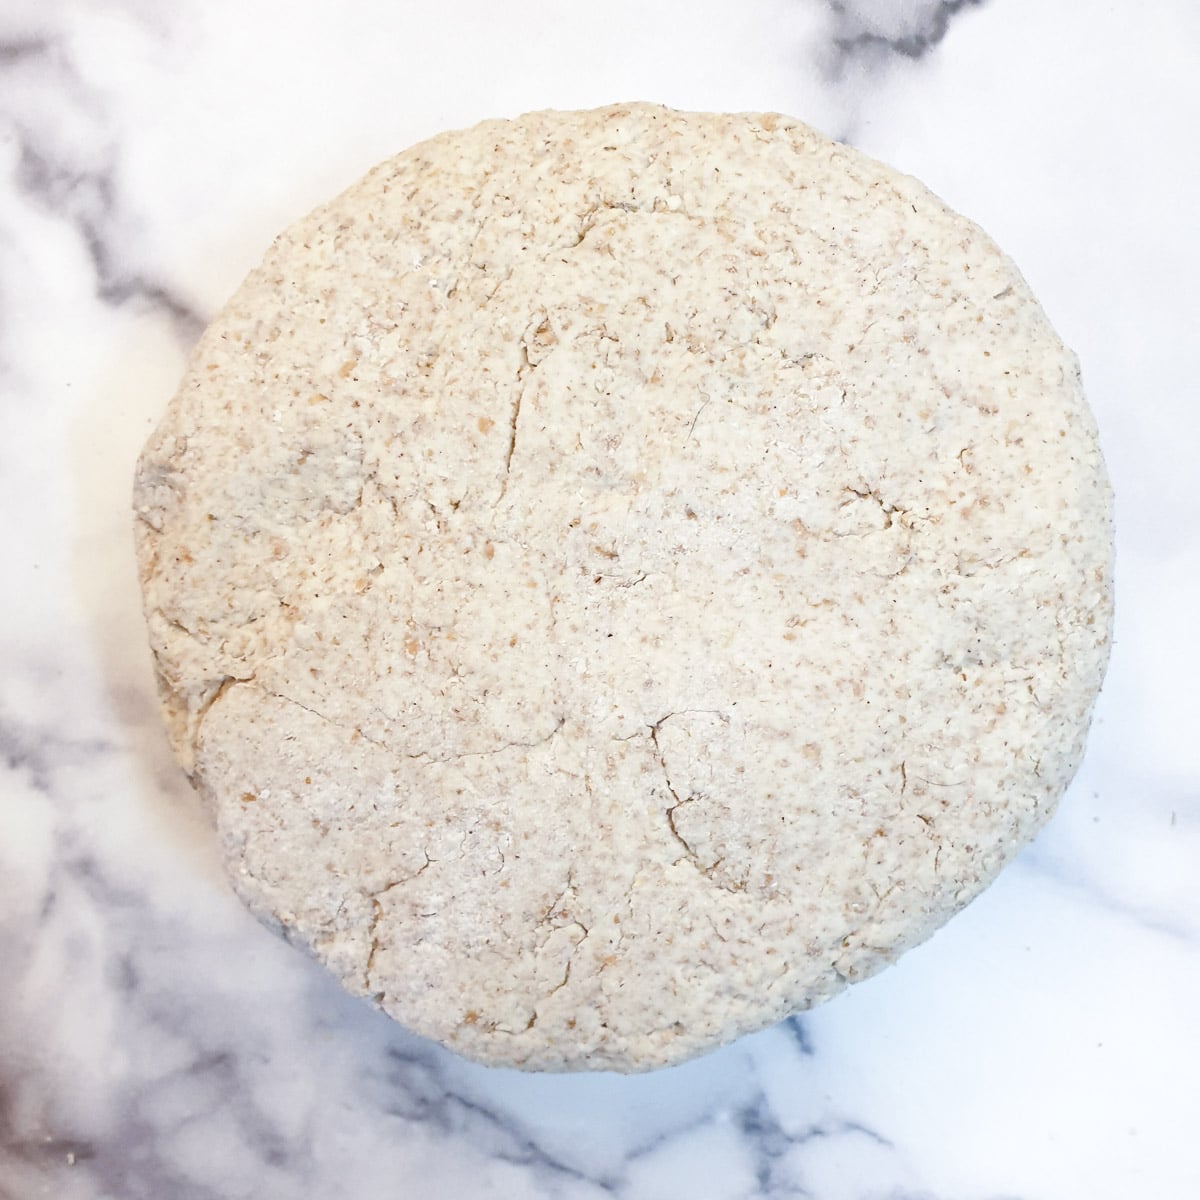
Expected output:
(621, 577)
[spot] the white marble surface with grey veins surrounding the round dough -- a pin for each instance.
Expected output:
(157, 1043)
